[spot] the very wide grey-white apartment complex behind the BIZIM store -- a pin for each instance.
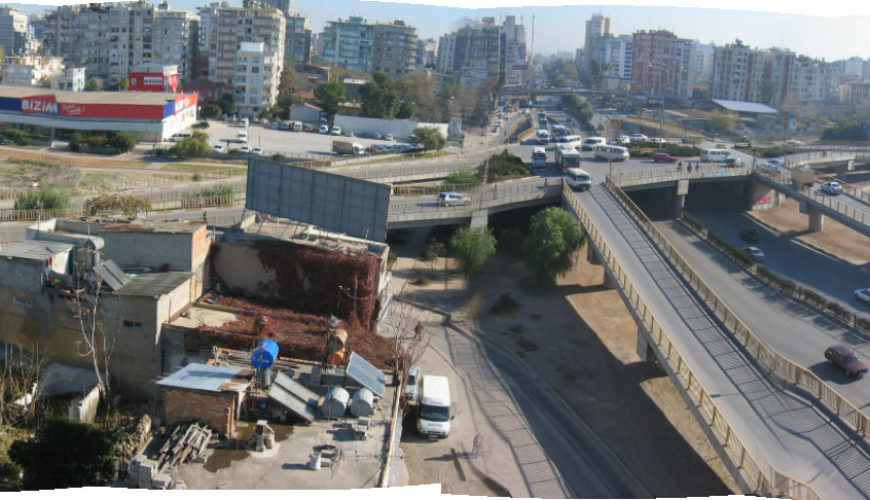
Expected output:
(112, 38)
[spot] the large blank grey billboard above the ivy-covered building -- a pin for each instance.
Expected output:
(334, 202)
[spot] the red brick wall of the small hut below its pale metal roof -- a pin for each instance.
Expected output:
(215, 409)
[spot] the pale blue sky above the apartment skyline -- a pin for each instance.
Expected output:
(835, 29)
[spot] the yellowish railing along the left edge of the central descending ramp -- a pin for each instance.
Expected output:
(759, 474)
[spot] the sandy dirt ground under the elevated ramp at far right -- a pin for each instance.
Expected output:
(834, 238)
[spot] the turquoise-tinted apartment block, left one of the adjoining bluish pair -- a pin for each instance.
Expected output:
(348, 44)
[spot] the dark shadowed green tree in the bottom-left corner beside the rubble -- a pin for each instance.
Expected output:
(65, 454)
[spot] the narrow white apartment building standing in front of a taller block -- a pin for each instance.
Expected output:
(257, 77)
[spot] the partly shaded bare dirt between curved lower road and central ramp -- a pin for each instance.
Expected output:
(581, 339)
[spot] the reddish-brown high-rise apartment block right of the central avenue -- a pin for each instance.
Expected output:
(661, 64)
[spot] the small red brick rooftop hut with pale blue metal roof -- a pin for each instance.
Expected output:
(209, 394)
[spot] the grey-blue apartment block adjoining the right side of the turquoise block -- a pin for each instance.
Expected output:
(394, 49)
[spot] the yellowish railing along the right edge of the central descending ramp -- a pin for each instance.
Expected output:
(776, 364)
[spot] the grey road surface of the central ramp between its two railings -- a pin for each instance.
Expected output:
(780, 428)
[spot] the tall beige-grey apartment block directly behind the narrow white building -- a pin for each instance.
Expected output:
(233, 26)
